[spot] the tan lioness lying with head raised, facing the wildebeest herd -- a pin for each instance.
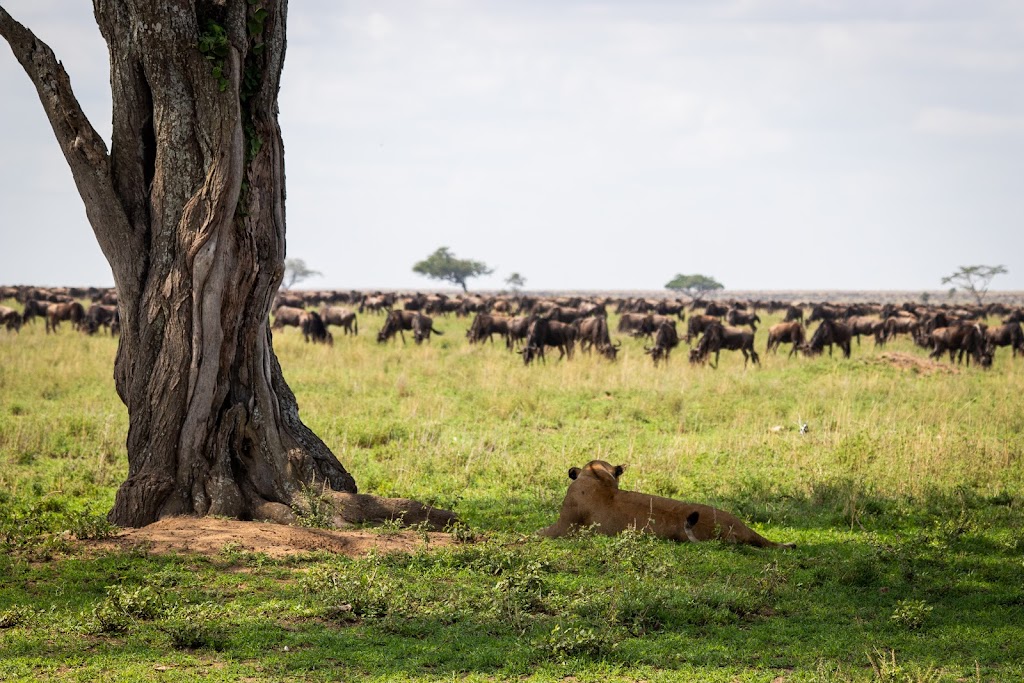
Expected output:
(594, 499)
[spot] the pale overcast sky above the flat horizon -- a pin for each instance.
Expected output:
(806, 145)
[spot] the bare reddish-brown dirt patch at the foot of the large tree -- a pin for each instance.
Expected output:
(207, 536)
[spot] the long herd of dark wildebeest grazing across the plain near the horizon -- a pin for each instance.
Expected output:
(530, 325)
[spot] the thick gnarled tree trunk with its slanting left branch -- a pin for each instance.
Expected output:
(189, 208)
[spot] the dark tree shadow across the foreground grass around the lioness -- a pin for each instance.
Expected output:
(938, 582)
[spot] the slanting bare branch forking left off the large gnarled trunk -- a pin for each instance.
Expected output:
(82, 147)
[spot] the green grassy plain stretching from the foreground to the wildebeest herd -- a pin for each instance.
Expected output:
(905, 498)
